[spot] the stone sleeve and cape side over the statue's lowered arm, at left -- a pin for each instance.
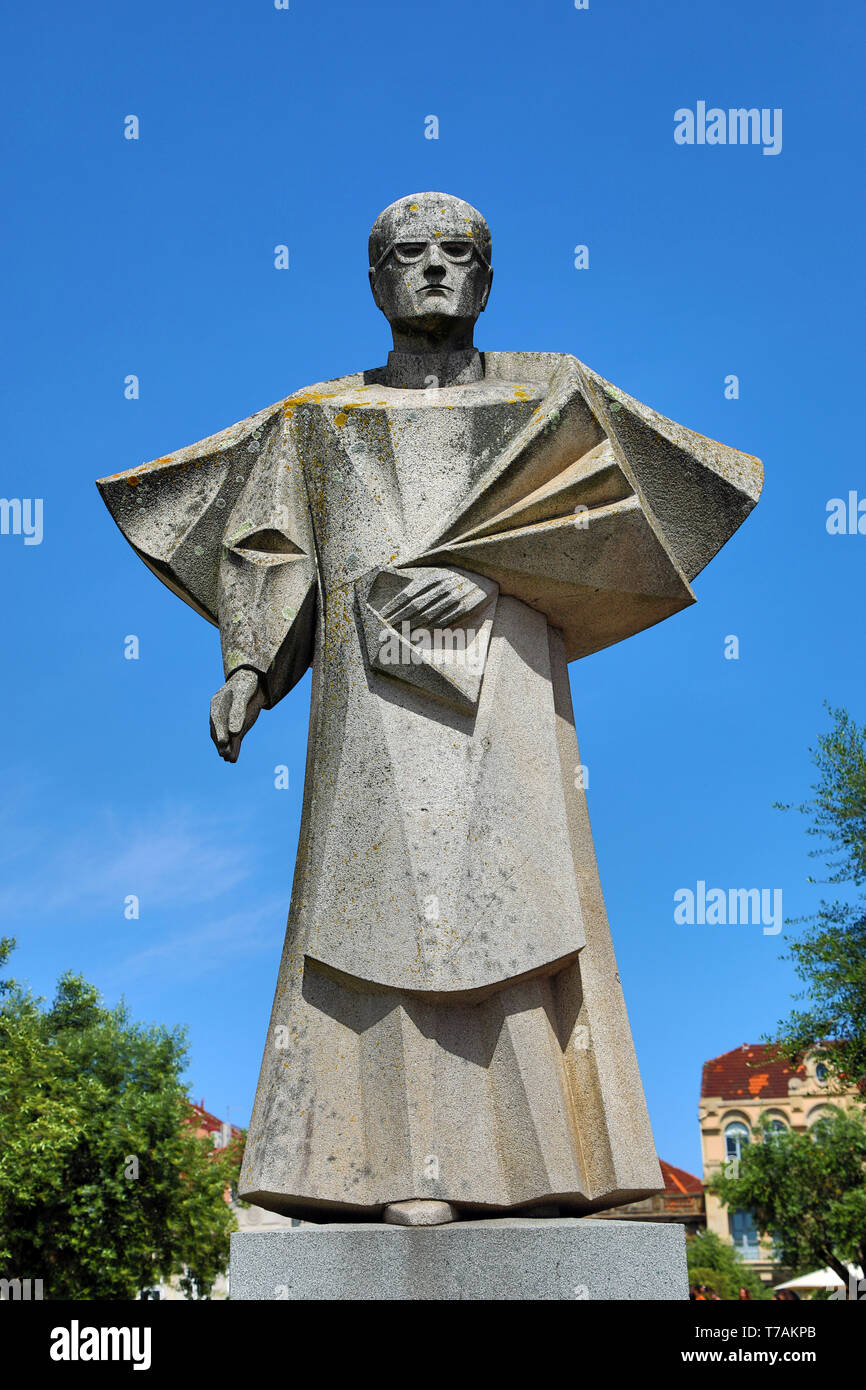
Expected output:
(224, 525)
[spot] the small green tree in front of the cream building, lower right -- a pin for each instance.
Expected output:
(808, 1192)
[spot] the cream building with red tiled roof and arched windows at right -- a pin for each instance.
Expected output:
(736, 1090)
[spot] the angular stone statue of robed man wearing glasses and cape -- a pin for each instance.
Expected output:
(439, 539)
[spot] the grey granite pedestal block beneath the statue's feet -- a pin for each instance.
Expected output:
(514, 1259)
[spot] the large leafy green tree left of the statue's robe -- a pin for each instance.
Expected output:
(105, 1191)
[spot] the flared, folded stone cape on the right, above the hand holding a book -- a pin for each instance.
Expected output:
(598, 514)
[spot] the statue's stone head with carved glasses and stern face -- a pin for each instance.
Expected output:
(430, 270)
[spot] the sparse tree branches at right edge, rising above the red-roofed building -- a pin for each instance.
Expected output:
(831, 956)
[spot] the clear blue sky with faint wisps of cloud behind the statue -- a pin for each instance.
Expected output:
(156, 258)
